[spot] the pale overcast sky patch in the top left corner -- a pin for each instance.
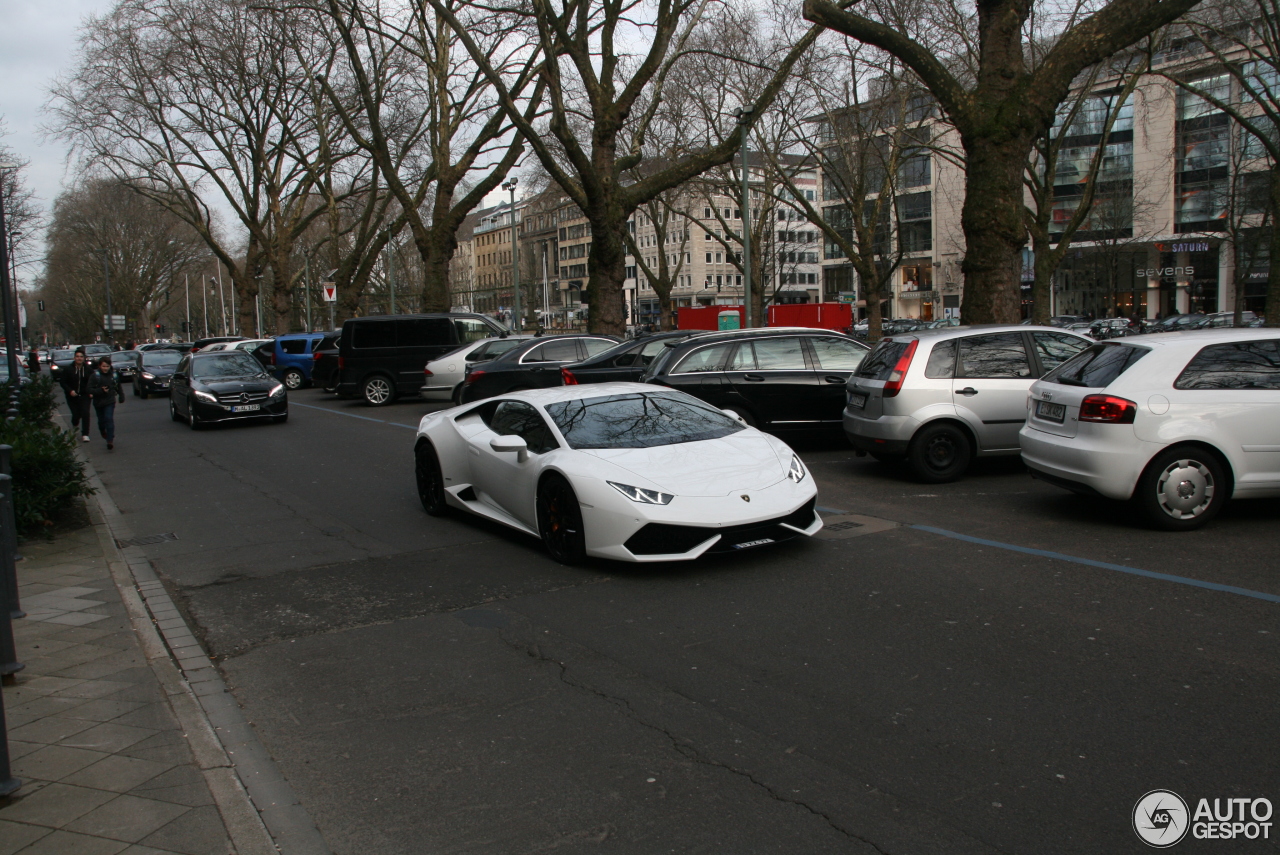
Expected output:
(38, 40)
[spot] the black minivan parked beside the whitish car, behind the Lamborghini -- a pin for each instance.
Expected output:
(383, 356)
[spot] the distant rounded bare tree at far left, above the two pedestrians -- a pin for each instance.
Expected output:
(148, 252)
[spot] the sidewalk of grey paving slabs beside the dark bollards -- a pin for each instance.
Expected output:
(100, 725)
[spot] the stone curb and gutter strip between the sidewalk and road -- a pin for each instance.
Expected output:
(259, 807)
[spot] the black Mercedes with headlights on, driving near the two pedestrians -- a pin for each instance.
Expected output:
(225, 386)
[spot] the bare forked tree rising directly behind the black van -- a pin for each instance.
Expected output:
(429, 118)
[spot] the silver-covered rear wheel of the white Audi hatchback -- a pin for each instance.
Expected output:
(1182, 490)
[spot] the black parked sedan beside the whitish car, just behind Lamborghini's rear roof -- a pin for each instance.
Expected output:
(532, 365)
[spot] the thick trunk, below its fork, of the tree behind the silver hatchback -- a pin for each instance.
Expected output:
(994, 230)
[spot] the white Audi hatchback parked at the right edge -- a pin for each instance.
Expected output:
(1178, 423)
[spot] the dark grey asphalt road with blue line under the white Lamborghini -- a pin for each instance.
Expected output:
(442, 687)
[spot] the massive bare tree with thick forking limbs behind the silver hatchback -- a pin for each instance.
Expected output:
(1000, 74)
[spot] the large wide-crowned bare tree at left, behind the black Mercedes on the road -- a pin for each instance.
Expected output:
(205, 106)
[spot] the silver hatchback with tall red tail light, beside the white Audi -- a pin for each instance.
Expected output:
(941, 397)
